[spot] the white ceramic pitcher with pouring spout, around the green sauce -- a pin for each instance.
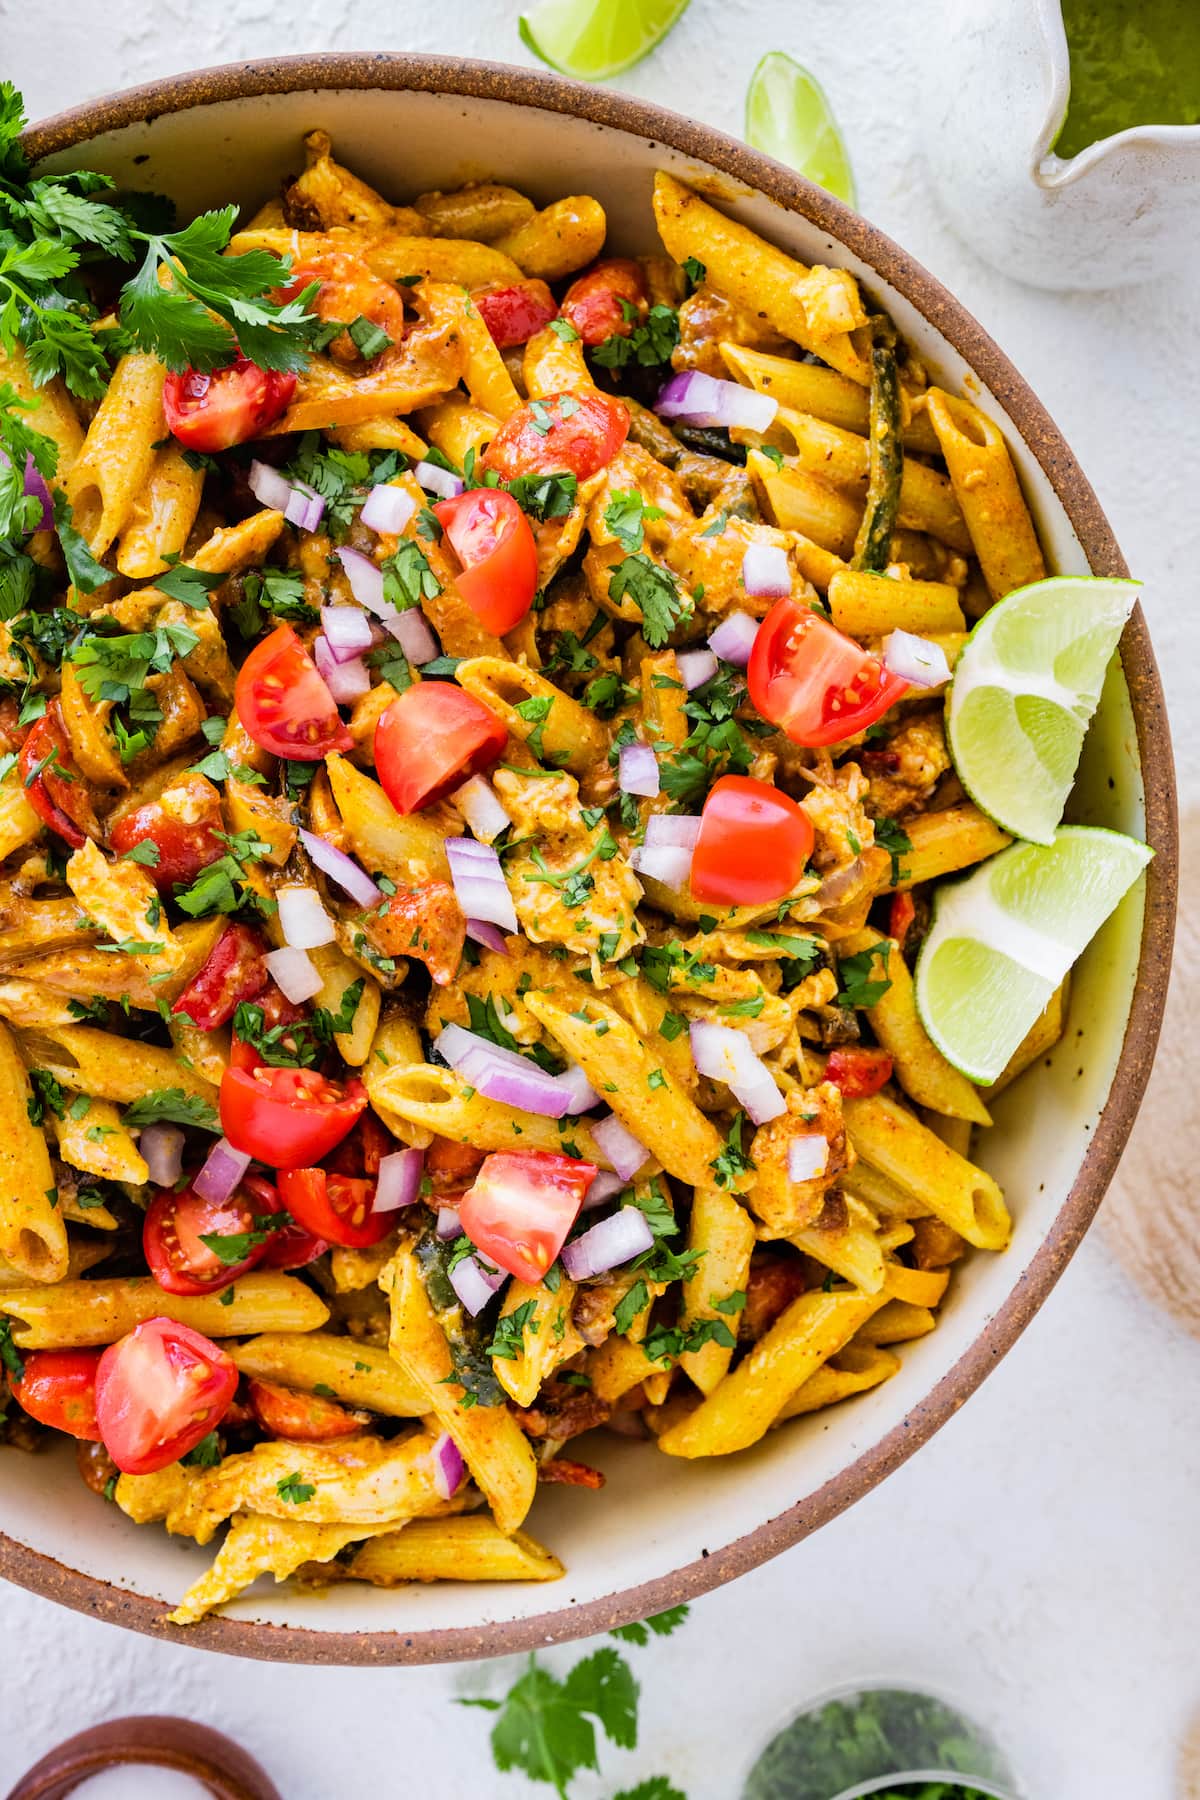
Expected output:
(1124, 211)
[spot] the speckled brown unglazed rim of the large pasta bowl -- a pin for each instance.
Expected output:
(523, 87)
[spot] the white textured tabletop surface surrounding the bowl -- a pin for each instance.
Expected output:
(1041, 1556)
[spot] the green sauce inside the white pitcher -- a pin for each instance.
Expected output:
(1133, 62)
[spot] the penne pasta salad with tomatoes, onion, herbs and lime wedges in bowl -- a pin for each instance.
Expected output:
(532, 807)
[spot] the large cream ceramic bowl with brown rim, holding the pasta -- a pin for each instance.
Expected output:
(663, 1531)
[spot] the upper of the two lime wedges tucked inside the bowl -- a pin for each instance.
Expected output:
(1025, 692)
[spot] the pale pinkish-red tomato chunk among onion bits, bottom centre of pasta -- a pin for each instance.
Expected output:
(523, 1207)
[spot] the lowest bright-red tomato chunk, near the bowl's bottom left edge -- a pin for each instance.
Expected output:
(159, 1392)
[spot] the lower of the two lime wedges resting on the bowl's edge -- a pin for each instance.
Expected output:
(1003, 940)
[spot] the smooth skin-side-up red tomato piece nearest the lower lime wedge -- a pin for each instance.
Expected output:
(753, 845)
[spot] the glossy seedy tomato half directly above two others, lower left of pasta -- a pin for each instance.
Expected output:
(287, 1119)
